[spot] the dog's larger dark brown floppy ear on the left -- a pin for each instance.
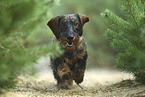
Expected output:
(53, 25)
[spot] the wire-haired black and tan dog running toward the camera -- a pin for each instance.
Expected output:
(68, 31)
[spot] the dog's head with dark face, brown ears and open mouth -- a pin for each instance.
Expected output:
(68, 28)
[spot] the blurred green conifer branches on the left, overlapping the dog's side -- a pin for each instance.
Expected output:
(18, 20)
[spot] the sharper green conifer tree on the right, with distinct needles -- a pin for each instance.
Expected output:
(127, 37)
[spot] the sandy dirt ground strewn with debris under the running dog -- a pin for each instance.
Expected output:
(97, 83)
